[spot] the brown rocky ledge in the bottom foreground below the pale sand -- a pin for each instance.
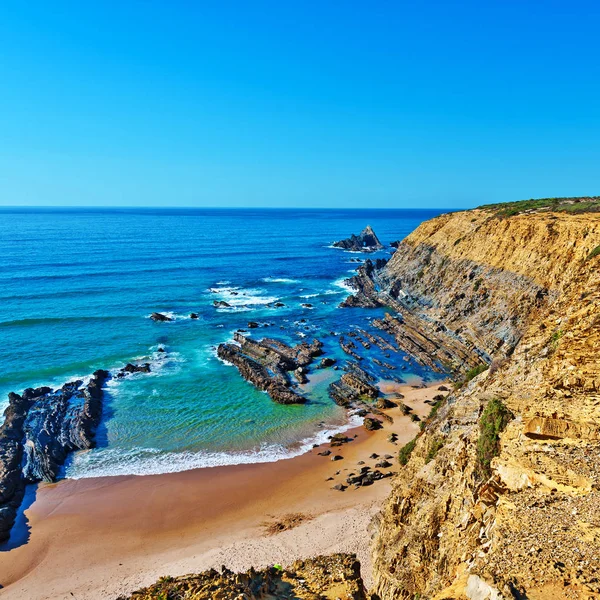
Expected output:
(320, 578)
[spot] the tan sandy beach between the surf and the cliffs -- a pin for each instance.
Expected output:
(99, 538)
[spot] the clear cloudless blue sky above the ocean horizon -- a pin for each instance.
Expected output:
(325, 103)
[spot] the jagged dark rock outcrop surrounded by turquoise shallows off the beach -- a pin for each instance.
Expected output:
(266, 364)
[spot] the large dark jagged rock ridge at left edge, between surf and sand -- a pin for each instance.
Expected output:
(40, 428)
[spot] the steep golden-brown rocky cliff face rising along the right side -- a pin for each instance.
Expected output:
(521, 293)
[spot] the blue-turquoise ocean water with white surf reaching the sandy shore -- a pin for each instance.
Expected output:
(76, 289)
